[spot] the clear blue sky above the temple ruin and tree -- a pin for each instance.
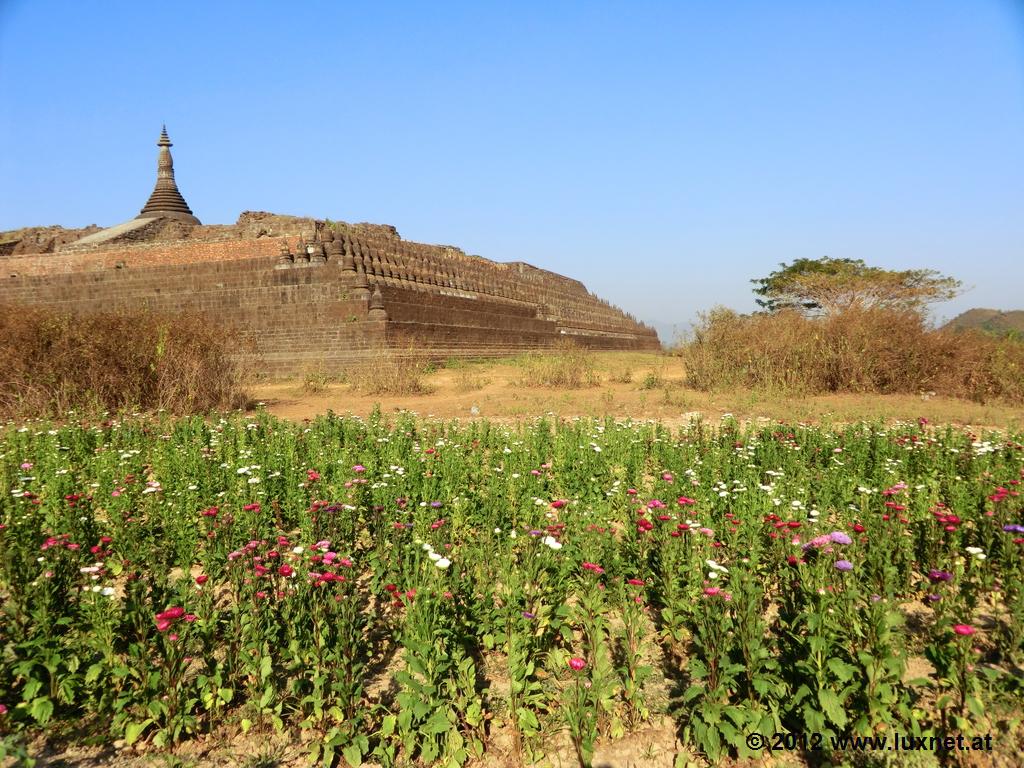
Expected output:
(664, 153)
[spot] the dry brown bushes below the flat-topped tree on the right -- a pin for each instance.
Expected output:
(860, 351)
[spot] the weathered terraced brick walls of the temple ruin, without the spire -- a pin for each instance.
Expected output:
(440, 303)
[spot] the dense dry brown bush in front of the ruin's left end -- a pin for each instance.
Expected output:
(53, 363)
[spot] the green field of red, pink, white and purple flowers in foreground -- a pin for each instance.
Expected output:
(410, 592)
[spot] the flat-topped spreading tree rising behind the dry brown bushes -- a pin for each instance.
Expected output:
(828, 286)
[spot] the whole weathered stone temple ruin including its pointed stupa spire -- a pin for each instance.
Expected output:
(309, 293)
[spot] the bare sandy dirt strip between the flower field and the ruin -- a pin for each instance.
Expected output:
(630, 386)
